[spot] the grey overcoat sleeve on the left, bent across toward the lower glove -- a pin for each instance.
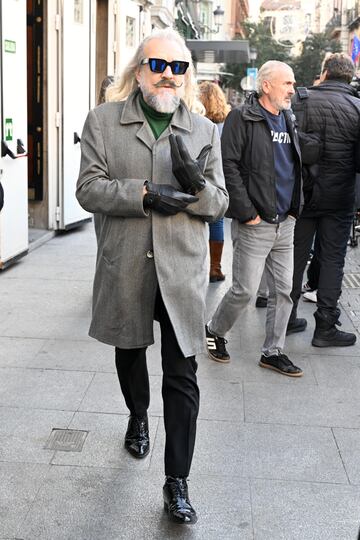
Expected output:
(96, 191)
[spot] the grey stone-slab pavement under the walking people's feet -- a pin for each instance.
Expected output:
(276, 458)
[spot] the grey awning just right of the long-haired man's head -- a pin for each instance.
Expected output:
(232, 52)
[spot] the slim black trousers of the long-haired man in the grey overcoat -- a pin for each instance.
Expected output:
(180, 392)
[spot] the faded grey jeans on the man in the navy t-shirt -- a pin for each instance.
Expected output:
(255, 246)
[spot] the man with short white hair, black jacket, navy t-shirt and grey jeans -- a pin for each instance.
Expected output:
(262, 168)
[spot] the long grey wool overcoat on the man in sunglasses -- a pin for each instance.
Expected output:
(139, 250)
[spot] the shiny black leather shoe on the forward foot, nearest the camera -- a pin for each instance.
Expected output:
(176, 501)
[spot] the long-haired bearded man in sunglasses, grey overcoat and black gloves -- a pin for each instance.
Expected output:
(151, 169)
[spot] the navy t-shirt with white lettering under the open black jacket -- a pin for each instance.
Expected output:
(283, 160)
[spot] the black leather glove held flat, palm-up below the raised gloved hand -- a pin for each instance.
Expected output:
(166, 199)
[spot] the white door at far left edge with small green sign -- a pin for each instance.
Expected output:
(14, 127)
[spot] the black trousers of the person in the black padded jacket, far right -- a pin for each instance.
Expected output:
(332, 234)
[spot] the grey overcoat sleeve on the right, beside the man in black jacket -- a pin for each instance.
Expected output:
(213, 199)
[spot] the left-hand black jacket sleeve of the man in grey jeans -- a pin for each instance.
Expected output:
(233, 145)
